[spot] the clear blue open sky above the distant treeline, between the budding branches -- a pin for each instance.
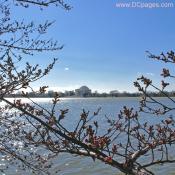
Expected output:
(104, 45)
